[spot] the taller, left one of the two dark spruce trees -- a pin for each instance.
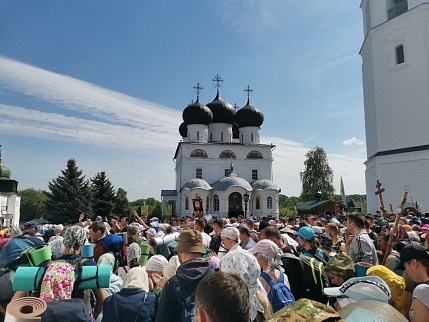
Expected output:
(69, 195)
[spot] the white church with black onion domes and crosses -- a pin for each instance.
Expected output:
(221, 163)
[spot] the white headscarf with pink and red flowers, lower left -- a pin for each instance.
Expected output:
(57, 284)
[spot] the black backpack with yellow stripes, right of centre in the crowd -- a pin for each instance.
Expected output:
(314, 279)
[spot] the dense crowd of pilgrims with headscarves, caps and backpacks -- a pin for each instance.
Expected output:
(229, 269)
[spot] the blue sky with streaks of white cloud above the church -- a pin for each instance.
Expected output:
(105, 82)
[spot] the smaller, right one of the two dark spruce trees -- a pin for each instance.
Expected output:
(103, 195)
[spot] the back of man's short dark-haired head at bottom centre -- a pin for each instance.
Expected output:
(224, 297)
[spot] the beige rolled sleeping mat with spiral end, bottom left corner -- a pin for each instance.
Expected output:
(25, 309)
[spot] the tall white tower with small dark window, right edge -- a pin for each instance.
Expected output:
(395, 73)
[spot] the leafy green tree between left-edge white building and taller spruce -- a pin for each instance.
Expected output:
(32, 204)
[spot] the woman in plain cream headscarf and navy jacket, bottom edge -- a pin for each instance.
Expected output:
(134, 302)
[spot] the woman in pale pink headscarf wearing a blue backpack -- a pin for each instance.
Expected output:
(269, 257)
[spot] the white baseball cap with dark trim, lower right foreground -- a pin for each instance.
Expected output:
(366, 288)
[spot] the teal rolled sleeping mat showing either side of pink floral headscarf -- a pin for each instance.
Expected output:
(28, 278)
